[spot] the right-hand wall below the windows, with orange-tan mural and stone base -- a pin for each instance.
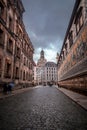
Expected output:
(72, 73)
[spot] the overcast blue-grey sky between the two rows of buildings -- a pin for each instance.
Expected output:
(46, 23)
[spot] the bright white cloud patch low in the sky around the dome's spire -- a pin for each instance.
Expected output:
(50, 51)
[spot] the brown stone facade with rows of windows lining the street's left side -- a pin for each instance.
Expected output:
(16, 49)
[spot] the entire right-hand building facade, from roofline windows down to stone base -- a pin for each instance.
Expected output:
(72, 62)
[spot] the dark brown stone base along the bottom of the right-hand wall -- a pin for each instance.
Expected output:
(78, 84)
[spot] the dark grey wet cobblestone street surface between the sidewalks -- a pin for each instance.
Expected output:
(44, 108)
